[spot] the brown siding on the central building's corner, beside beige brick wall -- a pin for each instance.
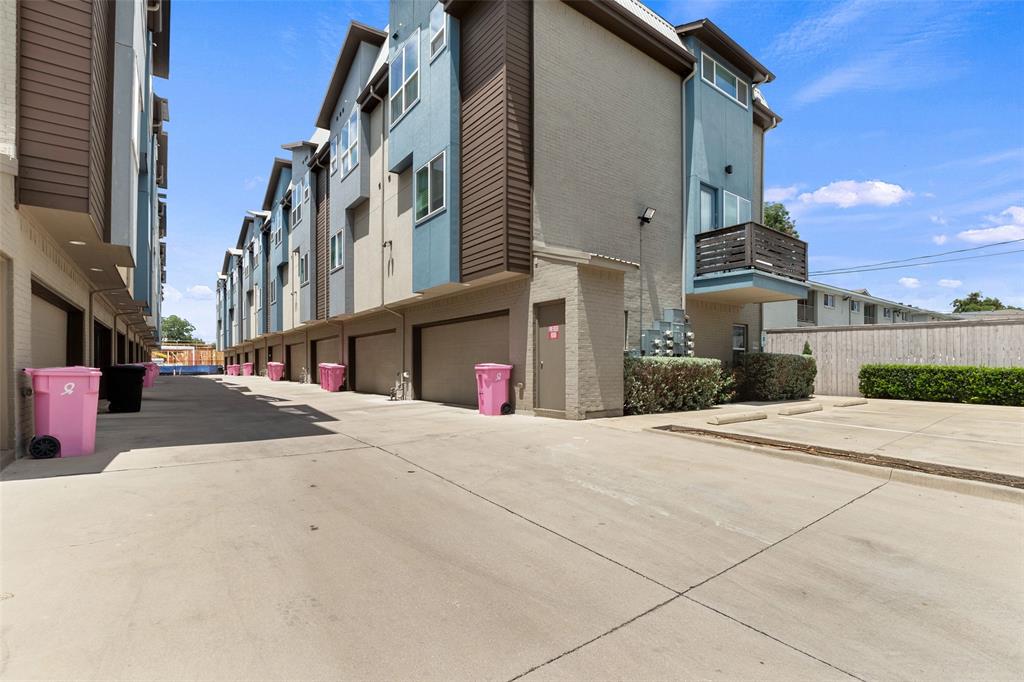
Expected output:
(496, 231)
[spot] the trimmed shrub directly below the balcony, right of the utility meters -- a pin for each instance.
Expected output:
(775, 376)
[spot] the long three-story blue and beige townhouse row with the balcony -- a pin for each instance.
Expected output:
(549, 185)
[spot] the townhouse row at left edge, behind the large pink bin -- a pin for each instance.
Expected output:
(83, 169)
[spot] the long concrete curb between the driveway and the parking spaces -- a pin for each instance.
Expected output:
(935, 482)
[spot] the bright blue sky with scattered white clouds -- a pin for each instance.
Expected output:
(904, 131)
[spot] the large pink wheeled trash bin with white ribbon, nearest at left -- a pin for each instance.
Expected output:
(66, 401)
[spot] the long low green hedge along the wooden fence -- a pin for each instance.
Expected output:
(985, 386)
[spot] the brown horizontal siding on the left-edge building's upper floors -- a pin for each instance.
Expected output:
(64, 118)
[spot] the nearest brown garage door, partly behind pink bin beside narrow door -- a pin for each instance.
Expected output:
(448, 354)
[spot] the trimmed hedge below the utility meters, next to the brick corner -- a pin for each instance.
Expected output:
(673, 385)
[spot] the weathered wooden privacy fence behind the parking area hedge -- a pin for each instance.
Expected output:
(840, 352)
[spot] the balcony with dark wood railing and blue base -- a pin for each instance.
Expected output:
(749, 264)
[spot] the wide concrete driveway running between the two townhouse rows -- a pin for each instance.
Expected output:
(259, 531)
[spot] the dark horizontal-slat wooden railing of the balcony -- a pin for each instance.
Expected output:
(751, 246)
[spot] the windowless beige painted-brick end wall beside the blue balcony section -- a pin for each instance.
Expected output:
(608, 144)
